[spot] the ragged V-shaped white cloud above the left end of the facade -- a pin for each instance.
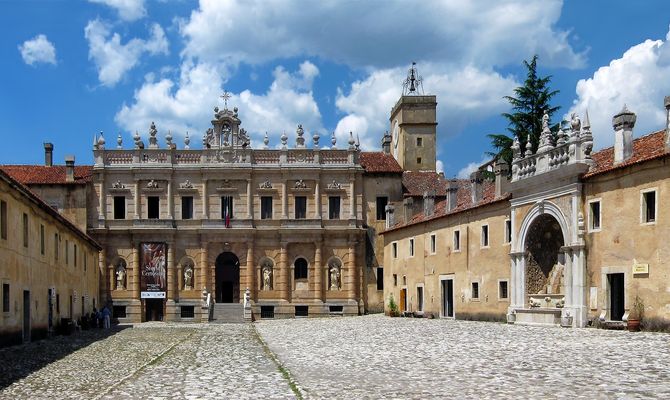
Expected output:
(114, 59)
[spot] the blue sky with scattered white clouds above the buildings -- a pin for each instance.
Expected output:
(71, 69)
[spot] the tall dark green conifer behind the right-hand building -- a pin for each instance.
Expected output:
(529, 104)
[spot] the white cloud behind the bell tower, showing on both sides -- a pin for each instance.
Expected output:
(464, 95)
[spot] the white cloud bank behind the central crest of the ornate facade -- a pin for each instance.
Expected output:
(187, 105)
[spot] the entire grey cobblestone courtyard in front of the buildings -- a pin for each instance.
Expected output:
(347, 358)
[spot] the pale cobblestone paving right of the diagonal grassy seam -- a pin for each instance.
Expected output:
(382, 357)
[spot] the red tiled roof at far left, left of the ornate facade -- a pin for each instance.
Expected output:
(43, 175)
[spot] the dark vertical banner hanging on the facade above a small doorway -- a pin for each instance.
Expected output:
(153, 270)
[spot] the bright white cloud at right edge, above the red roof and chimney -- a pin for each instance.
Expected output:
(637, 79)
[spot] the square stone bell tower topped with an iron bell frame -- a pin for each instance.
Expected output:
(414, 126)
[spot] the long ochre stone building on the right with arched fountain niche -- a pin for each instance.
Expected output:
(572, 237)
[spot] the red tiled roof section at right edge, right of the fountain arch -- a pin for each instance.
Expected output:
(645, 148)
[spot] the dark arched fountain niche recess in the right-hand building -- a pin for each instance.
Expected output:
(544, 263)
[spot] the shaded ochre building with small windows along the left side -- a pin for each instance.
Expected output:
(49, 266)
